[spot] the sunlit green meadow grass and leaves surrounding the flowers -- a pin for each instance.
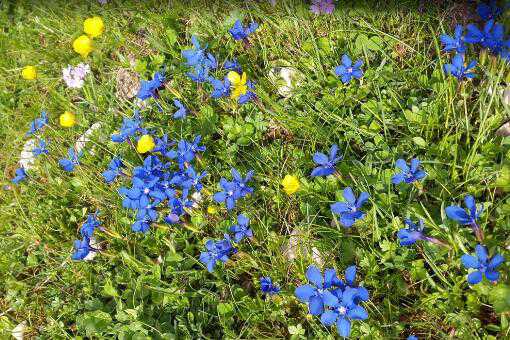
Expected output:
(404, 107)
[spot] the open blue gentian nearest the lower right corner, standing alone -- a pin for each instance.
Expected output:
(482, 264)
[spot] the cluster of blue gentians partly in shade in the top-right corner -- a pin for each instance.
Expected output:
(491, 36)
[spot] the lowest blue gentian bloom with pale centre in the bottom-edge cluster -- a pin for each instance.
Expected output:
(343, 311)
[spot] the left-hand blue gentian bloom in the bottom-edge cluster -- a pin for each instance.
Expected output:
(317, 294)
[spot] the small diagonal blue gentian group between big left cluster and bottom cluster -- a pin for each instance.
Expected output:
(221, 250)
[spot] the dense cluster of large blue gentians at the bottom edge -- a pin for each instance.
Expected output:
(337, 302)
